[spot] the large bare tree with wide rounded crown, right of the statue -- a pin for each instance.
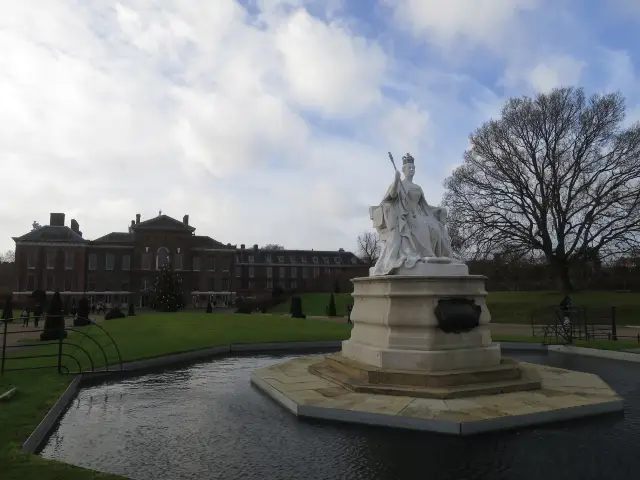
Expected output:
(557, 174)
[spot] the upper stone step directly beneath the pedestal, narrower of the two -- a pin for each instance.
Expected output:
(507, 370)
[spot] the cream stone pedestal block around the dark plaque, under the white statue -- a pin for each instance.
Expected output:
(396, 328)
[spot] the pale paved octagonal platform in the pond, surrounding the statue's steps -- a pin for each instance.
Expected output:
(564, 395)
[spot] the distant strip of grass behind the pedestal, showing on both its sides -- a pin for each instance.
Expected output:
(510, 307)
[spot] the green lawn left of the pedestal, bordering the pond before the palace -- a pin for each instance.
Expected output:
(139, 337)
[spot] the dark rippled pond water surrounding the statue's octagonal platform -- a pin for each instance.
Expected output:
(206, 421)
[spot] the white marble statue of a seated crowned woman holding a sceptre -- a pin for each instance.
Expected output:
(413, 232)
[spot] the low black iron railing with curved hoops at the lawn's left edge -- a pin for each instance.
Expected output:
(63, 341)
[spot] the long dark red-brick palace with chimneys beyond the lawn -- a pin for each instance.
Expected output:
(122, 266)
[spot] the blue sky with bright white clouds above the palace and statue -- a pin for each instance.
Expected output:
(269, 121)
